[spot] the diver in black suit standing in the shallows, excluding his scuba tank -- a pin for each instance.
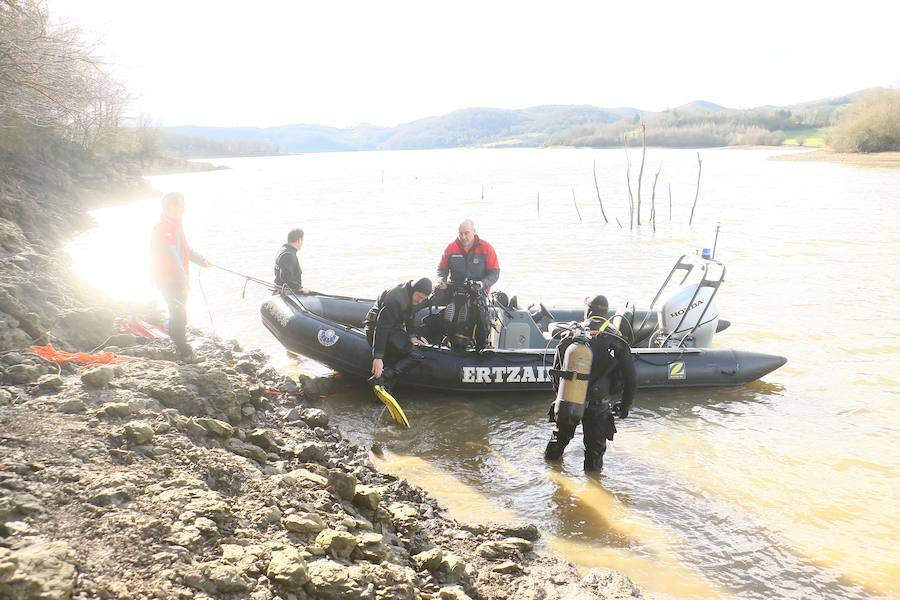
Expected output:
(612, 371)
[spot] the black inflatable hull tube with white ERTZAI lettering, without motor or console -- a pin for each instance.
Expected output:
(345, 349)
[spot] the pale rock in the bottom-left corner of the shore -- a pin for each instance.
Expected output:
(41, 570)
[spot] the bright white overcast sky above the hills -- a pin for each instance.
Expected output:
(335, 62)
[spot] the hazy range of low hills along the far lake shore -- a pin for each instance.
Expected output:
(697, 123)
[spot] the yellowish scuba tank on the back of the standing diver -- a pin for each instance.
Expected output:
(574, 373)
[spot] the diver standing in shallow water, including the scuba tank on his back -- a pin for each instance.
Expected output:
(593, 363)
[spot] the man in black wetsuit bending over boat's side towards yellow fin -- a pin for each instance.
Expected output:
(389, 329)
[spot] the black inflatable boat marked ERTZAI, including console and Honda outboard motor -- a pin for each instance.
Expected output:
(669, 343)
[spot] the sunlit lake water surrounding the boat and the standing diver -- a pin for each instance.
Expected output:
(786, 488)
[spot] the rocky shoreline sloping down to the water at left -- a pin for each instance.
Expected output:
(150, 478)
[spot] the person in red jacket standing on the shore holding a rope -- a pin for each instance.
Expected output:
(170, 256)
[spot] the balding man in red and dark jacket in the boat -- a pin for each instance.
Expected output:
(469, 257)
